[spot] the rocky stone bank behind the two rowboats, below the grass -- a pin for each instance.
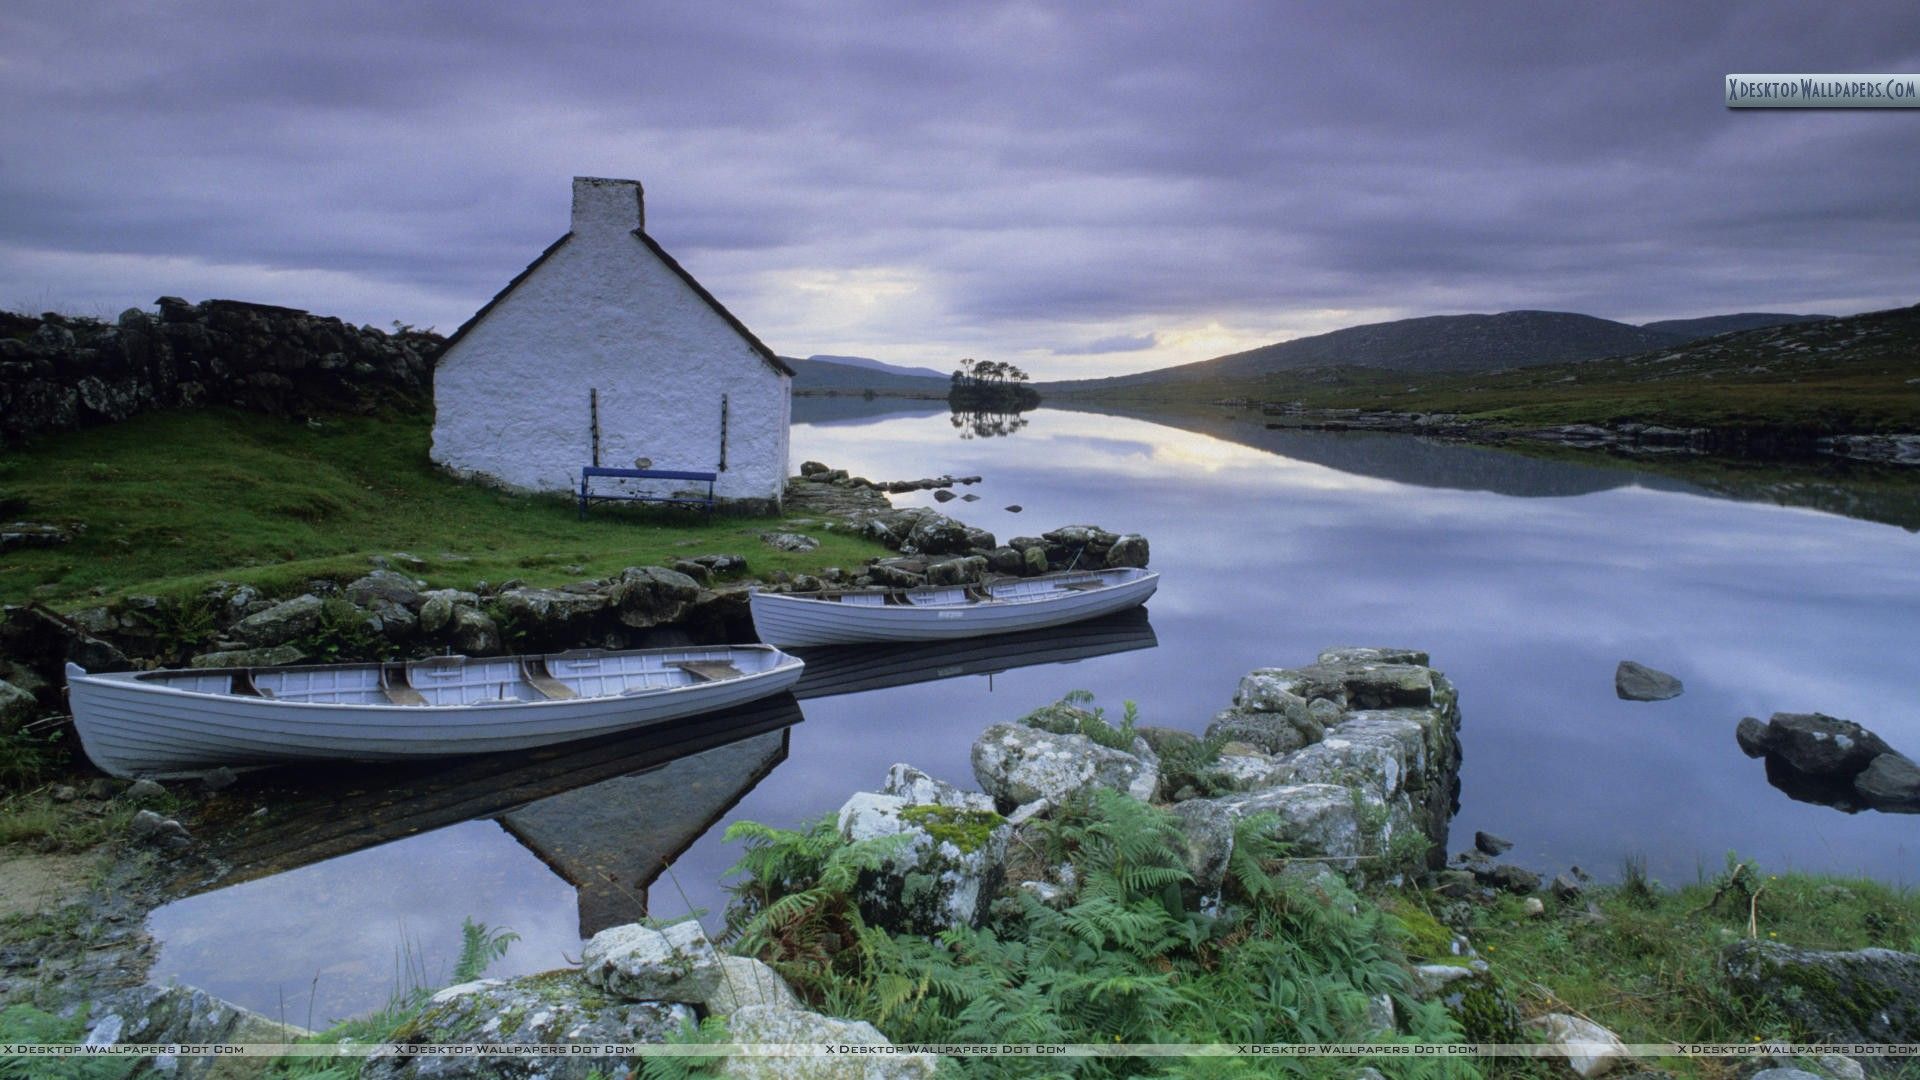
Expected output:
(389, 612)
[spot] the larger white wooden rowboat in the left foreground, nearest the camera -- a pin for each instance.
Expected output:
(189, 722)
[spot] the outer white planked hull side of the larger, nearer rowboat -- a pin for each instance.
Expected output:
(133, 729)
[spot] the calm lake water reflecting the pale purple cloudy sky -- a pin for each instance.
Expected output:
(1525, 579)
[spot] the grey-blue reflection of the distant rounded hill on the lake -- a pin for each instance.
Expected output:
(1401, 458)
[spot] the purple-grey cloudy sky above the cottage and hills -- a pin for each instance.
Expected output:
(1082, 189)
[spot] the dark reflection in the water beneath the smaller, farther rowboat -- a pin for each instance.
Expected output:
(852, 670)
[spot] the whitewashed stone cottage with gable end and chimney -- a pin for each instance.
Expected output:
(608, 353)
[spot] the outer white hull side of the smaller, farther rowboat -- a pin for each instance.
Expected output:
(796, 622)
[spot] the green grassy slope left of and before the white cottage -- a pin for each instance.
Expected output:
(178, 501)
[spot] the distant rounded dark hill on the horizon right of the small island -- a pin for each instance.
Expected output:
(1445, 345)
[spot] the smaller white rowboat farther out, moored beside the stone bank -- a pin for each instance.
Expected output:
(932, 614)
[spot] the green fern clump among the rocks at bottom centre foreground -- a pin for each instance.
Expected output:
(1280, 960)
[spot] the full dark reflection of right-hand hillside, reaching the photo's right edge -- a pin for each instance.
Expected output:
(1869, 493)
